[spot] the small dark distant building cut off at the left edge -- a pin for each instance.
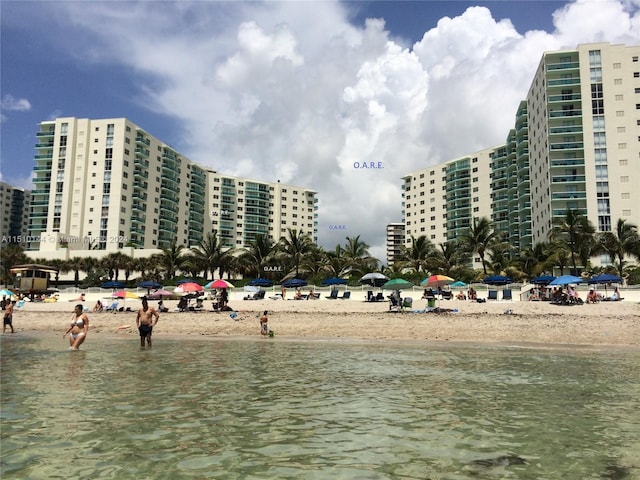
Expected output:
(14, 205)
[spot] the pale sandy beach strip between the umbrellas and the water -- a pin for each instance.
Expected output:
(514, 322)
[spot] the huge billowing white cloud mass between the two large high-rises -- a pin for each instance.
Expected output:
(278, 90)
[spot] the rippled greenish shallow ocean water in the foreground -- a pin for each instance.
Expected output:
(256, 408)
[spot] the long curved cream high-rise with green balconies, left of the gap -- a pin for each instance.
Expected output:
(107, 184)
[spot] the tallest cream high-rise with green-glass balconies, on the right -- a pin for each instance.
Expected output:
(575, 145)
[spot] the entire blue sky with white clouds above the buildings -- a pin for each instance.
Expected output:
(305, 92)
